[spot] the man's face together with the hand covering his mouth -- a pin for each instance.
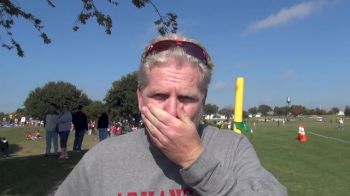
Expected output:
(171, 105)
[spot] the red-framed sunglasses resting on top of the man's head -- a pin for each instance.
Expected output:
(190, 48)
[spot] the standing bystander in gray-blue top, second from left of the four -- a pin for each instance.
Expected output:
(64, 125)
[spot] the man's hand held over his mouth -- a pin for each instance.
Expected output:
(177, 138)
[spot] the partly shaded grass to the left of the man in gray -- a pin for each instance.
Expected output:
(26, 171)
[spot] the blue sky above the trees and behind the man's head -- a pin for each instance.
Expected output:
(283, 48)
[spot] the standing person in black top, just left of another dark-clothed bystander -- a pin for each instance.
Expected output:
(80, 125)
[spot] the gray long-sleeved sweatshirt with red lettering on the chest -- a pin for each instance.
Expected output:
(129, 165)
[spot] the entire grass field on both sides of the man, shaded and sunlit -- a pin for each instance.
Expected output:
(321, 166)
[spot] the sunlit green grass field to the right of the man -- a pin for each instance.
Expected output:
(318, 167)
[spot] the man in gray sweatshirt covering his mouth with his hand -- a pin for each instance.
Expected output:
(174, 154)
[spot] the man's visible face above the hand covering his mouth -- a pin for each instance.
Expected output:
(171, 86)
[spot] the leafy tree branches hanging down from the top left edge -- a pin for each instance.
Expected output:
(9, 10)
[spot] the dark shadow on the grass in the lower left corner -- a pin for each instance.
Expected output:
(34, 175)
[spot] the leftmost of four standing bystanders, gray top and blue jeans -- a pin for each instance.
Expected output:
(51, 126)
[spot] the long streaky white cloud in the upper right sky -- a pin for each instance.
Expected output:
(286, 15)
